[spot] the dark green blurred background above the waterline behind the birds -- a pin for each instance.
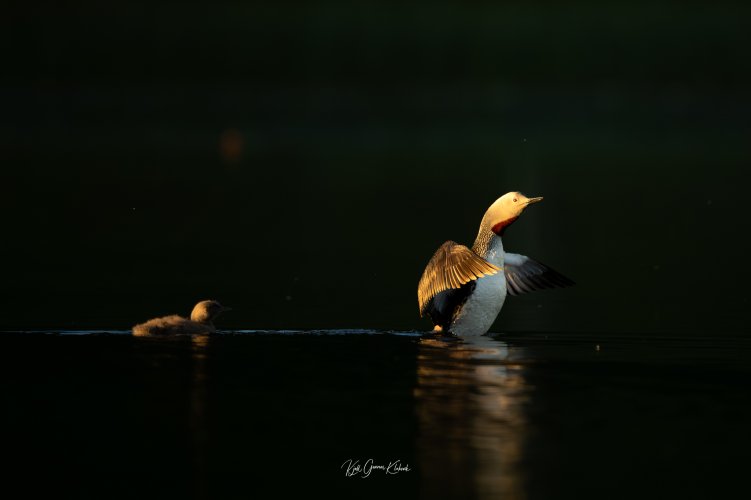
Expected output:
(370, 134)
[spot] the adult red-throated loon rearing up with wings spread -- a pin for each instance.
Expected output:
(463, 291)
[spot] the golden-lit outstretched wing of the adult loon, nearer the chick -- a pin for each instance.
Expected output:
(451, 266)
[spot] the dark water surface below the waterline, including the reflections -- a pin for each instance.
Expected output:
(251, 414)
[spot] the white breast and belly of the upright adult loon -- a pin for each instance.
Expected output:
(482, 307)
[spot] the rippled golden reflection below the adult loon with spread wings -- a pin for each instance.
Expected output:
(470, 397)
